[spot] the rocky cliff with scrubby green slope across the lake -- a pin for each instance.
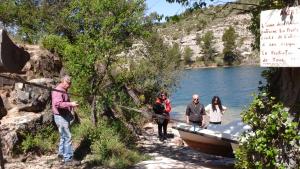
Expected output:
(186, 31)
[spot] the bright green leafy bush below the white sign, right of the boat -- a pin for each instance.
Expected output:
(274, 141)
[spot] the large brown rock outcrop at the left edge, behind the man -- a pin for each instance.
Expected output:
(25, 95)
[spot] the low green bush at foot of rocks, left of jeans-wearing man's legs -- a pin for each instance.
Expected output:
(41, 142)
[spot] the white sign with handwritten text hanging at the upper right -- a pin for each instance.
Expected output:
(280, 37)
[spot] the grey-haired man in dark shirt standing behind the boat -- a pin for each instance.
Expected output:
(195, 112)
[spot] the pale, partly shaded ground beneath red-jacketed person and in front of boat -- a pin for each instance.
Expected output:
(173, 154)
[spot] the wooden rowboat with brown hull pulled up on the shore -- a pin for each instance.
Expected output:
(218, 140)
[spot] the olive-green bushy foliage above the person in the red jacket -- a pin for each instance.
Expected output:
(160, 64)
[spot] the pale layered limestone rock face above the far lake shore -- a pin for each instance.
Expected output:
(175, 34)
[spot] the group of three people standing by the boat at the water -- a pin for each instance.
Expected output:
(195, 112)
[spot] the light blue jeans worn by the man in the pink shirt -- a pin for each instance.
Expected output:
(65, 143)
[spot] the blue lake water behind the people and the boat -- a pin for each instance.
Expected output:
(234, 85)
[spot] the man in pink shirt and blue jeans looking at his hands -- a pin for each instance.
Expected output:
(62, 107)
